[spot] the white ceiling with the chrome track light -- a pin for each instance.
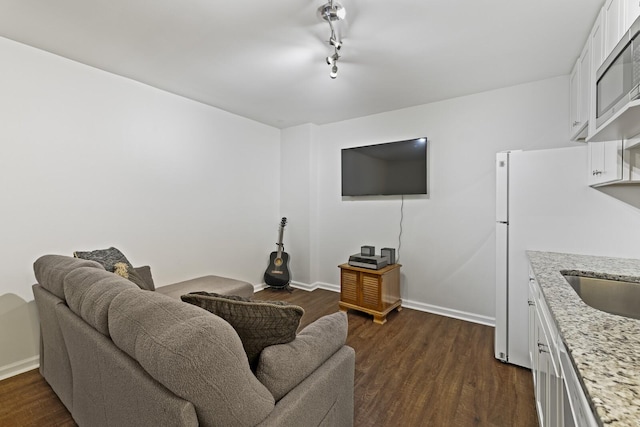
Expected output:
(265, 60)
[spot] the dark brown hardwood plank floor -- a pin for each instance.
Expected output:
(418, 369)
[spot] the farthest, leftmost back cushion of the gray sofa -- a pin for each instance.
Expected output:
(50, 271)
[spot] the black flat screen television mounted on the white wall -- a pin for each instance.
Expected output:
(393, 168)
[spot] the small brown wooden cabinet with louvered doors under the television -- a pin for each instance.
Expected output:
(376, 292)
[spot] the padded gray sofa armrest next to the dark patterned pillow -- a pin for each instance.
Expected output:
(282, 367)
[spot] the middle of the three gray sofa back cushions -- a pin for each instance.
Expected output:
(89, 293)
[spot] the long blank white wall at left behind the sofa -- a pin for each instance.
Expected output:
(90, 160)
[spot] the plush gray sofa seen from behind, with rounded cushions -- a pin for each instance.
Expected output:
(117, 355)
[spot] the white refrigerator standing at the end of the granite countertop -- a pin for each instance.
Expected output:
(543, 202)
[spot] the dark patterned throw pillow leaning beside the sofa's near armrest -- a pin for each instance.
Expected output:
(259, 324)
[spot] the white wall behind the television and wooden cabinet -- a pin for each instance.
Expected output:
(448, 240)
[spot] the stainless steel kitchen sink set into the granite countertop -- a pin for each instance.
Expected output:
(613, 296)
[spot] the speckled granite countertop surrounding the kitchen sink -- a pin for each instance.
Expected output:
(605, 348)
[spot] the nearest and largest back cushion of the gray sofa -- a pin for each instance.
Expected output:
(193, 353)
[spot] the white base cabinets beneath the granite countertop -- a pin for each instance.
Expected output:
(560, 400)
